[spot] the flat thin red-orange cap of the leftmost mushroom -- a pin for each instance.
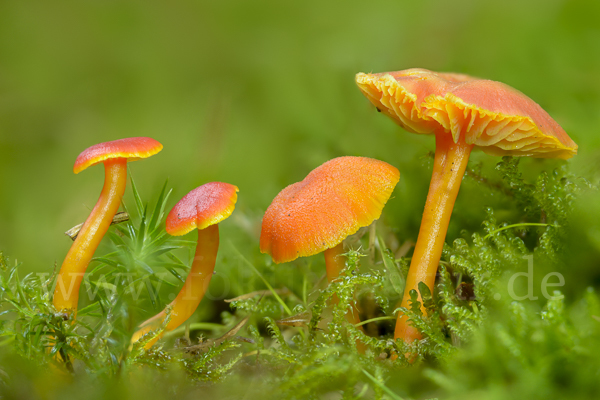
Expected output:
(130, 148)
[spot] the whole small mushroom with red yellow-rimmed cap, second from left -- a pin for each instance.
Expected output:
(202, 208)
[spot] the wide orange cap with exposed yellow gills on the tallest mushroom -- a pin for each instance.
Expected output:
(491, 115)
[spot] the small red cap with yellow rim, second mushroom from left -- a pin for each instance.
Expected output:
(204, 206)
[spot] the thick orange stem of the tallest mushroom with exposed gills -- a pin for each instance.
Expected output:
(449, 167)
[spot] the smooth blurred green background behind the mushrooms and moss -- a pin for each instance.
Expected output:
(258, 93)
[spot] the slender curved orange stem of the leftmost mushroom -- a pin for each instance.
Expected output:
(66, 293)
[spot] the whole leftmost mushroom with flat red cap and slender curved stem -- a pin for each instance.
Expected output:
(114, 155)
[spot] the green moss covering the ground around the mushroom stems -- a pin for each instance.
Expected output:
(286, 341)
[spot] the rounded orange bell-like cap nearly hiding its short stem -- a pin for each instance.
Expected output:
(331, 203)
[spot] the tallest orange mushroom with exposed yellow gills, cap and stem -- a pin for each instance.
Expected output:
(462, 112)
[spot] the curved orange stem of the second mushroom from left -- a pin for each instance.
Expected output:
(193, 289)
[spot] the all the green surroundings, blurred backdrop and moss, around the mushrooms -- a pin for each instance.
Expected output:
(257, 94)
